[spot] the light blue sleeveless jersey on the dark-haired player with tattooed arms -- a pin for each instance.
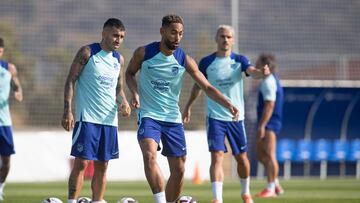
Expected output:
(96, 88)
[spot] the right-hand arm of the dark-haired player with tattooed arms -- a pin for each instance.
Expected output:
(121, 100)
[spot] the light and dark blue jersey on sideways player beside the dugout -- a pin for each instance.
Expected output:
(271, 90)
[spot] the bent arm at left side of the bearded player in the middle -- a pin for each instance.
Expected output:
(133, 67)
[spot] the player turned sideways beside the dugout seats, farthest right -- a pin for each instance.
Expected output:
(269, 111)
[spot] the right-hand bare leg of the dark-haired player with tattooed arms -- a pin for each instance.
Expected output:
(98, 183)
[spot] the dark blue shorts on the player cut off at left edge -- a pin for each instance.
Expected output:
(6, 141)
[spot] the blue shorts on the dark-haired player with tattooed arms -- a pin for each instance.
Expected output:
(94, 141)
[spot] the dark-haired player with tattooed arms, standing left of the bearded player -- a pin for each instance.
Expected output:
(98, 71)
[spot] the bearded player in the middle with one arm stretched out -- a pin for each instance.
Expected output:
(162, 65)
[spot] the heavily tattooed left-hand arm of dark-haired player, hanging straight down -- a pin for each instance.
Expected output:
(76, 68)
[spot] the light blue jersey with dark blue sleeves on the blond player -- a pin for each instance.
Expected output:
(225, 74)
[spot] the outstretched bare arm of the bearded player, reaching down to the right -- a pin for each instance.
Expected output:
(211, 91)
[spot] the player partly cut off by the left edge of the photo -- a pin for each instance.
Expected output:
(8, 80)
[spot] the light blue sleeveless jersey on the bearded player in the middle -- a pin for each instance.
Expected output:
(160, 83)
